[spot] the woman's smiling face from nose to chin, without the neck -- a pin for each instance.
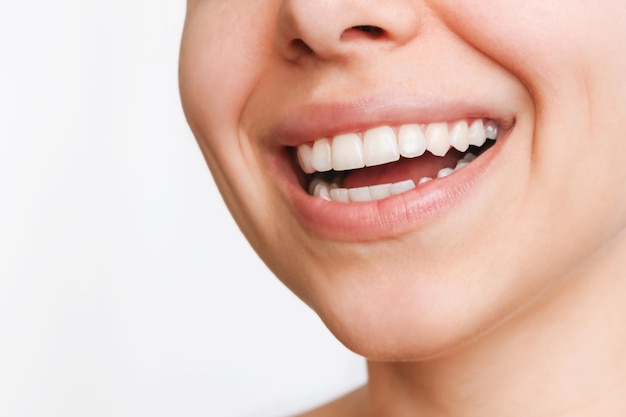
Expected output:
(285, 96)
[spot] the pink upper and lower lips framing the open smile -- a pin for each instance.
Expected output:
(396, 215)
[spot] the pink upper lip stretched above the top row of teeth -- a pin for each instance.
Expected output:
(311, 121)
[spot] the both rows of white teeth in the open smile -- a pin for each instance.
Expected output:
(384, 145)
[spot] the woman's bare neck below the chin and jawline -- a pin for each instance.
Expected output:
(563, 356)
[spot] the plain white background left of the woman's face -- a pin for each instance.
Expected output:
(125, 287)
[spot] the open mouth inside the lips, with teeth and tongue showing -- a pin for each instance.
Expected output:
(386, 161)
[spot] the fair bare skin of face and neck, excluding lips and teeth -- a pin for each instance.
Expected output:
(509, 302)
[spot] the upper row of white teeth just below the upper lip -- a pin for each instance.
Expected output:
(385, 144)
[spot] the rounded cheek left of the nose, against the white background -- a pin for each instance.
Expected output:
(222, 53)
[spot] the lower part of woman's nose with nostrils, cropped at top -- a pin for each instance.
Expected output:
(341, 29)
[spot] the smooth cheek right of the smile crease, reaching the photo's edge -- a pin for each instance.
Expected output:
(571, 57)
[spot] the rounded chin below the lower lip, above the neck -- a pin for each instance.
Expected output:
(414, 318)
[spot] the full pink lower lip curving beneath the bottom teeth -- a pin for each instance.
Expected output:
(392, 216)
